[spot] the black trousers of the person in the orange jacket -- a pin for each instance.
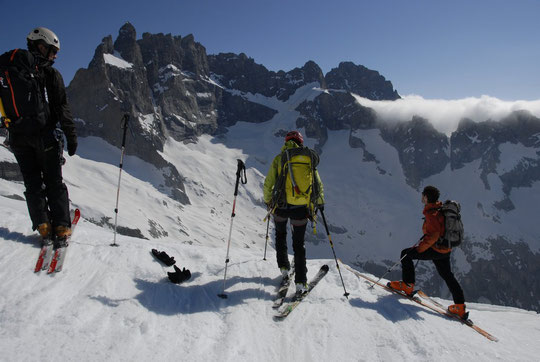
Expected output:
(442, 263)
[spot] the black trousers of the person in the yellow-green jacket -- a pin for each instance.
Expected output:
(299, 217)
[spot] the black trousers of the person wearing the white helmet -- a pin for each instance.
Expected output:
(40, 159)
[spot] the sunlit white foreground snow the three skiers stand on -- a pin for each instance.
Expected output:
(116, 304)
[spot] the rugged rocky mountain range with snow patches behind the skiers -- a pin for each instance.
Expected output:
(194, 114)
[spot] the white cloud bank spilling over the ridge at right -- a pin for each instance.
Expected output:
(446, 114)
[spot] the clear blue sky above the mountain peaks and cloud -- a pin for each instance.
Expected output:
(435, 49)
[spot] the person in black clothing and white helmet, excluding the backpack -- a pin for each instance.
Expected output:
(39, 152)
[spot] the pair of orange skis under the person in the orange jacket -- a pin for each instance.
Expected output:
(436, 307)
